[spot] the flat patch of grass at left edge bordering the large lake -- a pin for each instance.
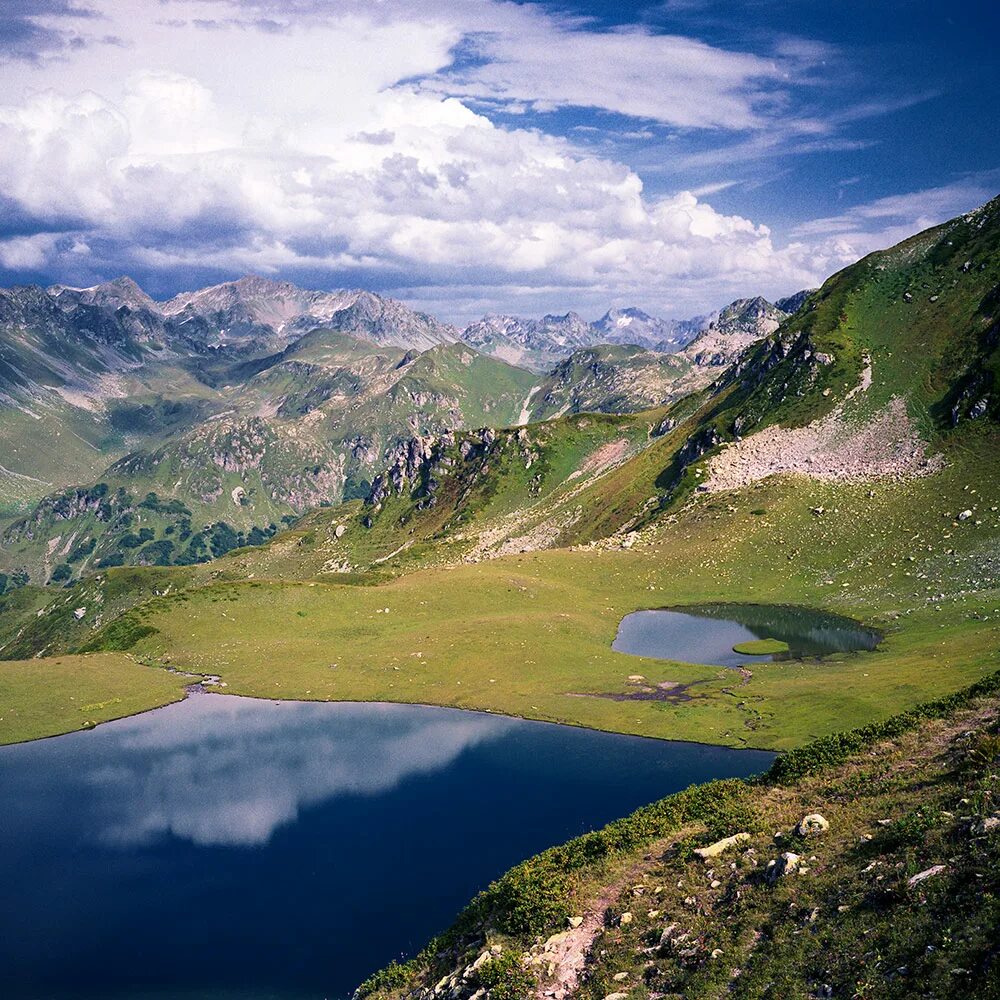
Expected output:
(51, 696)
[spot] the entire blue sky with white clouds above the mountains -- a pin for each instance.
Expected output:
(478, 156)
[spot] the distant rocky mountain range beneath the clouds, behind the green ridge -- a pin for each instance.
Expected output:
(230, 410)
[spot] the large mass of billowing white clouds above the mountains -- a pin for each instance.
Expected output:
(355, 142)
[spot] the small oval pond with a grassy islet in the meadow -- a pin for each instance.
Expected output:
(707, 633)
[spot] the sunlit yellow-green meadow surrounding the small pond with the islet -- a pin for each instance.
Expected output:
(527, 635)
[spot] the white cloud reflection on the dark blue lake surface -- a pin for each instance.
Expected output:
(229, 772)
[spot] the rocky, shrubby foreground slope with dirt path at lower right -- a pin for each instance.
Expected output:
(899, 799)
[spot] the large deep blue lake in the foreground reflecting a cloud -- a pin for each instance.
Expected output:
(230, 848)
